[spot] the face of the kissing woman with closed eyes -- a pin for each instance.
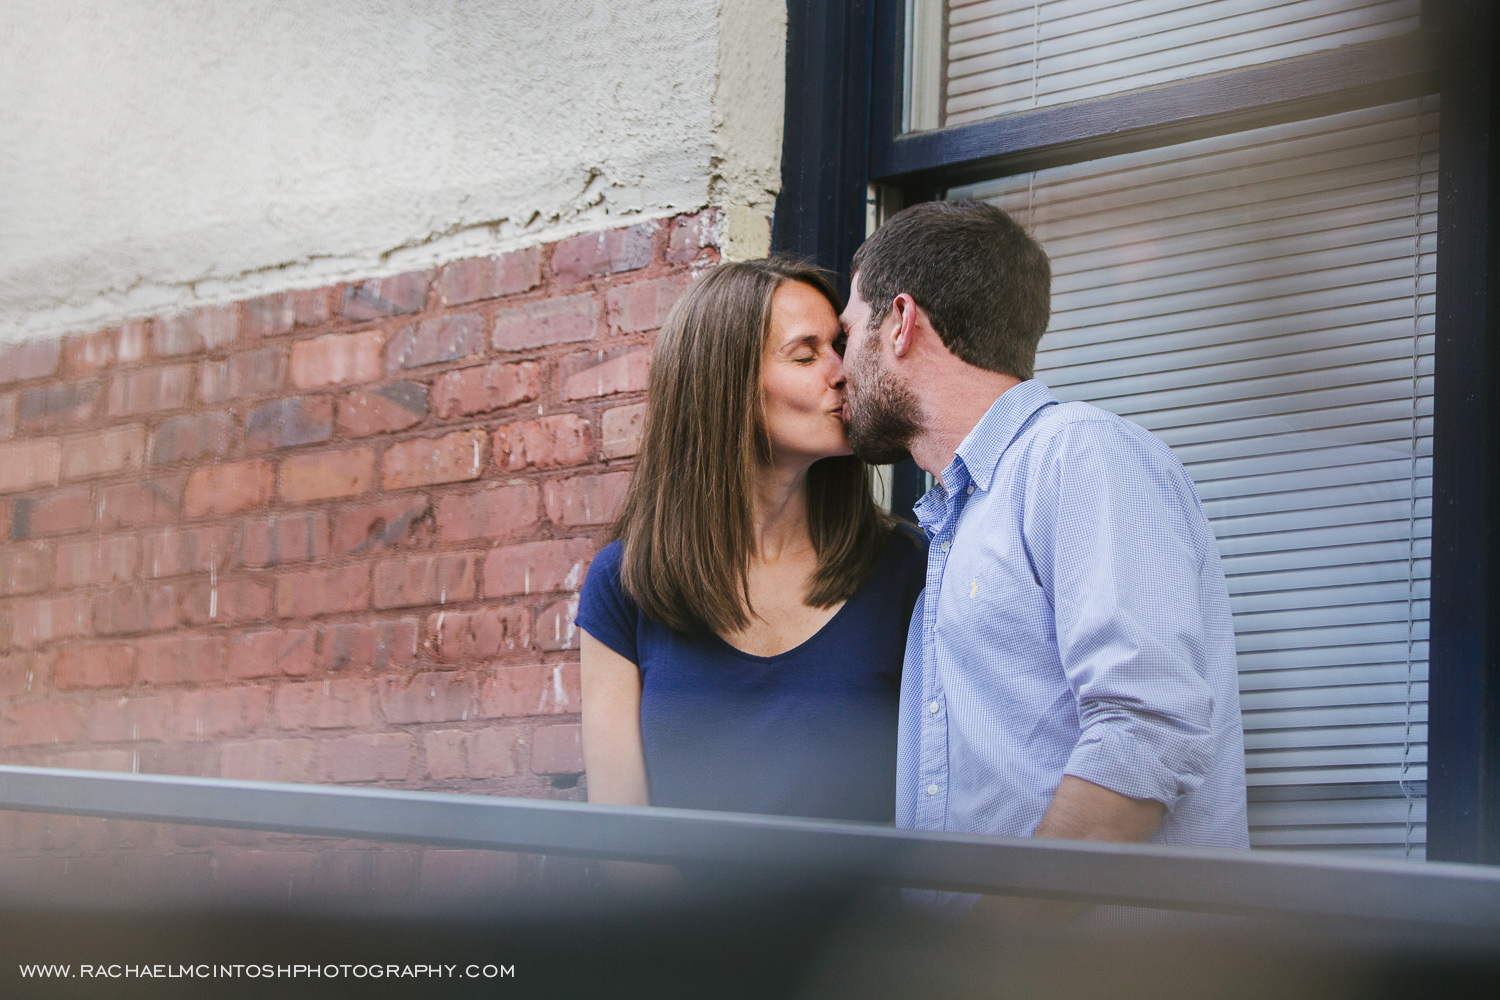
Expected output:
(802, 377)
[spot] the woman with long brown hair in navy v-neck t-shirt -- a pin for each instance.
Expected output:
(743, 635)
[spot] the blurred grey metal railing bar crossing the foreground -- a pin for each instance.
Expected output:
(1130, 875)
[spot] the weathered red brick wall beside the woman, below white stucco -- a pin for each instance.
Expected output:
(328, 536)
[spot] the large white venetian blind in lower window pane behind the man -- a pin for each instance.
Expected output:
(1264, 304)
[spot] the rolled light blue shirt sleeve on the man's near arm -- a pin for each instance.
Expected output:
(1115, 534)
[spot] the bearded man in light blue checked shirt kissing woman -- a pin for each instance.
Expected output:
(1070, 669)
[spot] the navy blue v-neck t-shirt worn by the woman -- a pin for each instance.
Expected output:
(809, 732)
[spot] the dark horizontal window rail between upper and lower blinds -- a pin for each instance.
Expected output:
(1307, 86)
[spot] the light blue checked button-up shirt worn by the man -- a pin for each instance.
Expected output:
(1075, 621)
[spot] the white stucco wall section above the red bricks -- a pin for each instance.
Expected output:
(166, 154)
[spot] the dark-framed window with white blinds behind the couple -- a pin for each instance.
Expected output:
(1247, 218)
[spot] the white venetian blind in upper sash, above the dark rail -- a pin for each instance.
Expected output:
(1013, 55)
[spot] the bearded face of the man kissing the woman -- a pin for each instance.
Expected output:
(881, 413)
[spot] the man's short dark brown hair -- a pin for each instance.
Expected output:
(982, 280)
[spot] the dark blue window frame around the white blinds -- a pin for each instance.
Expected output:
(842, 137)
